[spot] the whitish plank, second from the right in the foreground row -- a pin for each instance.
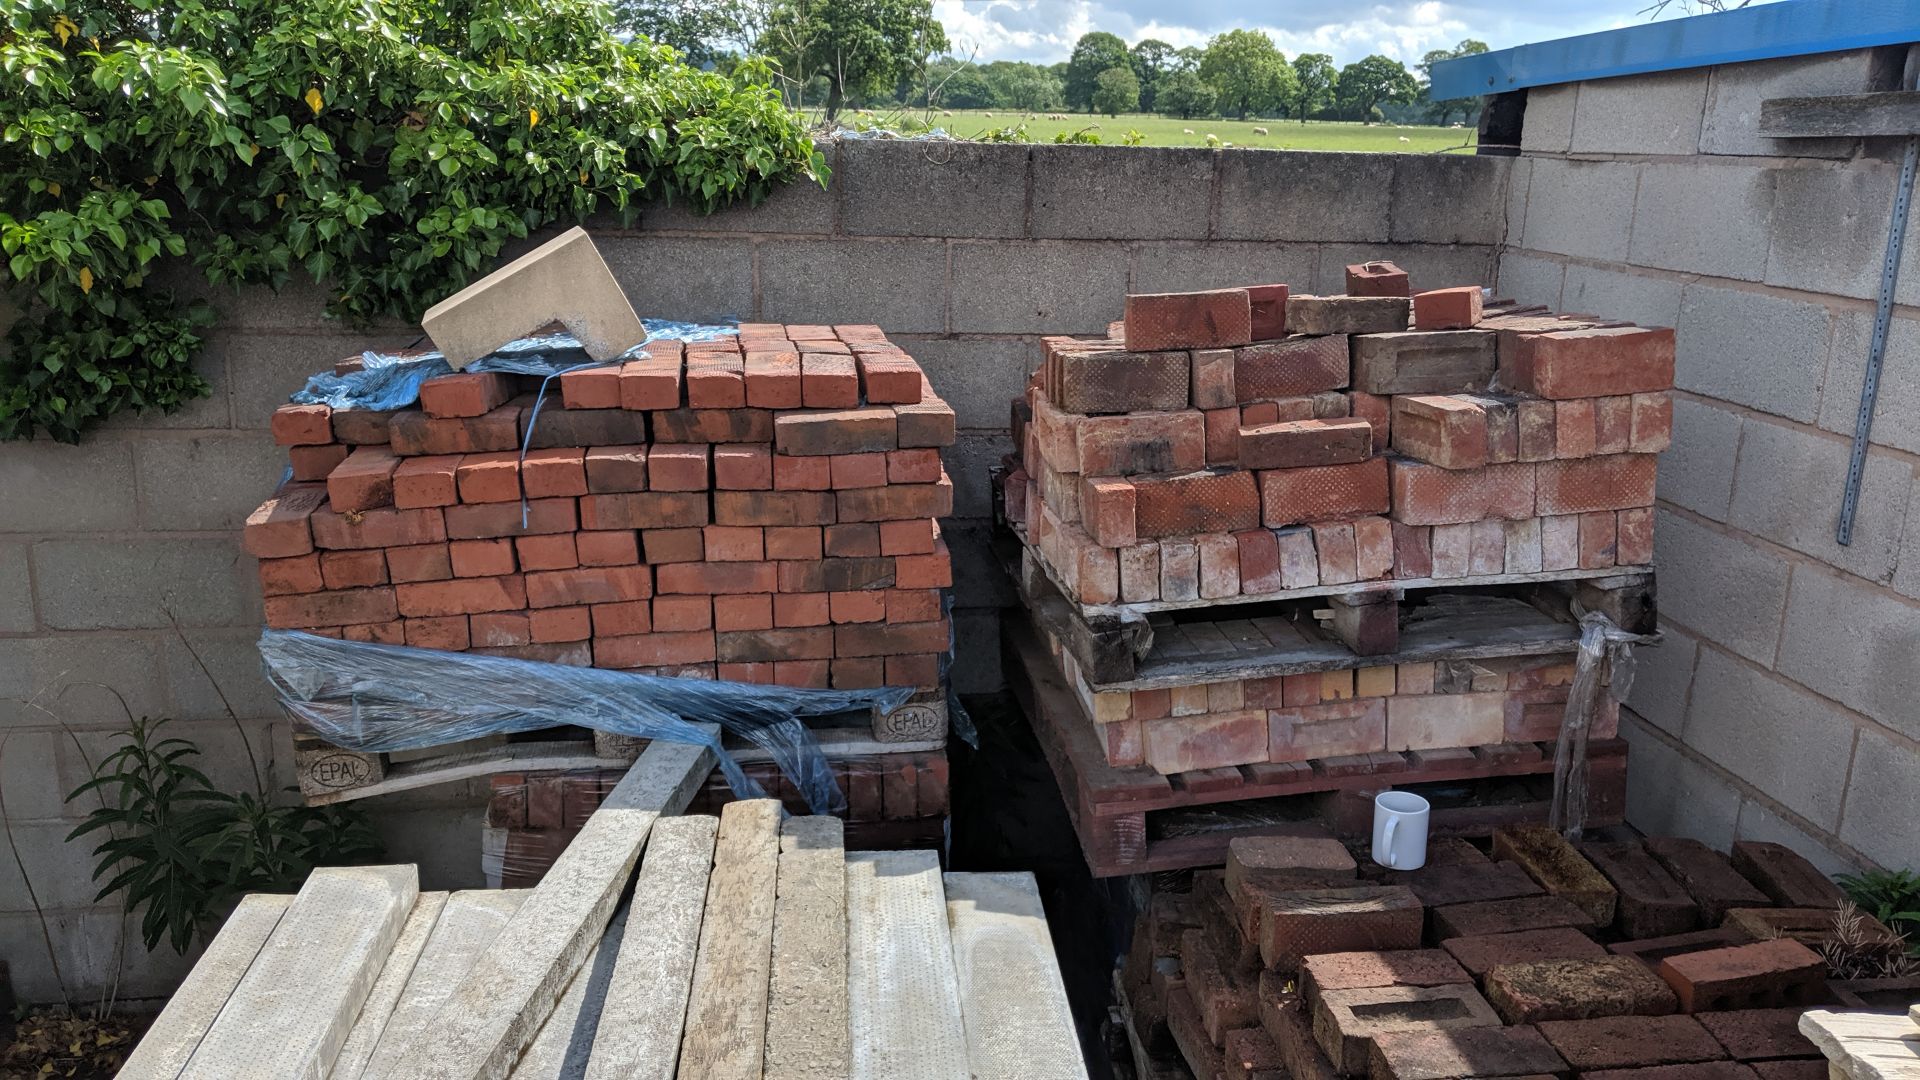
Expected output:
(903, 996)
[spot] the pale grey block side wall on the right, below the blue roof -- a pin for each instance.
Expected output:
(1785, 700)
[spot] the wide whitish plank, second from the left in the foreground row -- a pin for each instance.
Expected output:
(297, 1002)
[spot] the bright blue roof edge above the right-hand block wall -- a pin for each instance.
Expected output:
(1794, 28)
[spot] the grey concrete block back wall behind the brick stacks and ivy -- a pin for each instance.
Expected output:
(122, 552)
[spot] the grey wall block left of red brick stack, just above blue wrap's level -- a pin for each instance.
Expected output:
(107, 585)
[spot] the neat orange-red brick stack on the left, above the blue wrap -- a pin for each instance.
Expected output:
(757, 508)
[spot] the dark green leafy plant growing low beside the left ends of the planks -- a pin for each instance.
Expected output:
(181, 852)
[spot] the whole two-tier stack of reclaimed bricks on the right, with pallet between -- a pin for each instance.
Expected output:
(1274, 541)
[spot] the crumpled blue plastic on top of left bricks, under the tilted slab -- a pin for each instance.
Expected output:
(389, 381)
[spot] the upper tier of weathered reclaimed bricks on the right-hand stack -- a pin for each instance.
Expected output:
(1249, 443)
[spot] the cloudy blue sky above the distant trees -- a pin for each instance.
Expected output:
(1044, 32)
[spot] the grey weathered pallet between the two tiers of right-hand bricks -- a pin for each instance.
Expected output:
(1259, 639)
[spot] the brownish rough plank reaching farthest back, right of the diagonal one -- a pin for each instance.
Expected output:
(727, 1006)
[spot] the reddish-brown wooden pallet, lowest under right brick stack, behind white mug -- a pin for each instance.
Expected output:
(1132, 820)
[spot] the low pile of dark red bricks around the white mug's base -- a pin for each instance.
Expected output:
(1614, 960)
